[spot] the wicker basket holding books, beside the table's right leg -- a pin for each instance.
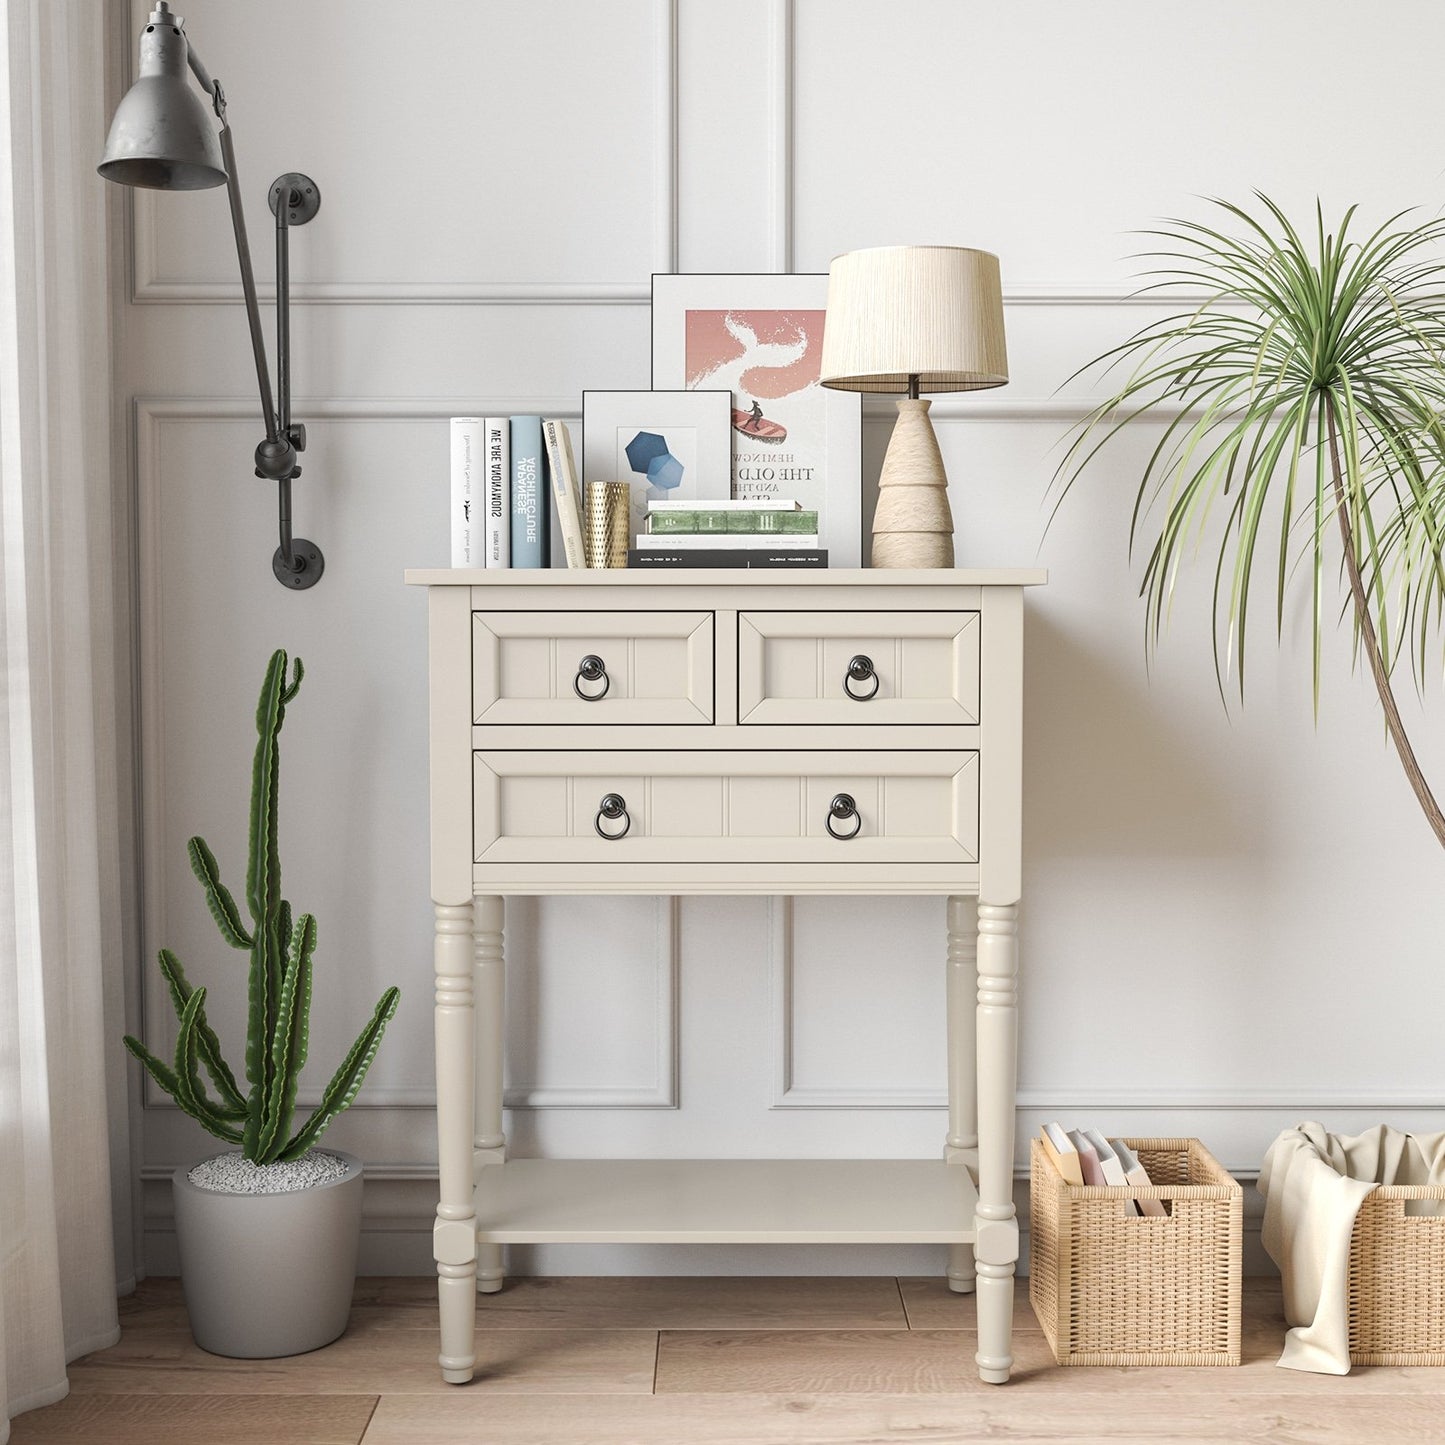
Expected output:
(1119, 1288)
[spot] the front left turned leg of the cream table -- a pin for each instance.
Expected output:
(454, 1238)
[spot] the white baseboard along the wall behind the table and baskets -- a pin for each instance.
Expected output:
(400, 1207)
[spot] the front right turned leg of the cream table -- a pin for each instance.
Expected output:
(998, 1248)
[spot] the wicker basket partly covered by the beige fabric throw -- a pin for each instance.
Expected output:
(1398, 1280)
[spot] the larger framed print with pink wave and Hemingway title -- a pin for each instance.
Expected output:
(761, 337)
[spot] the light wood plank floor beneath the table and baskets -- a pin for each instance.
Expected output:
(716, 1362)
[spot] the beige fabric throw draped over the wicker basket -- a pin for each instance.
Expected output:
(1314, 1184)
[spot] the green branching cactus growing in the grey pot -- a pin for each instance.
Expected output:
(280, 1012)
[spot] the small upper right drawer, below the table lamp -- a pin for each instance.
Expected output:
(858, 668)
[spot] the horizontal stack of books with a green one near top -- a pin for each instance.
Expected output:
(769, 532)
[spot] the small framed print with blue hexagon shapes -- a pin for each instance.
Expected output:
(668, 446)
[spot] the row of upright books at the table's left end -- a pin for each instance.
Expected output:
(502, 472)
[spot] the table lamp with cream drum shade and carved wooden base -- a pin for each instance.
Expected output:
(914, 320)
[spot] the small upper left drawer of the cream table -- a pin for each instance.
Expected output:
(592, 667)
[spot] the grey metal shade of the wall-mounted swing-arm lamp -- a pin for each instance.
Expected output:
(164, 134)
